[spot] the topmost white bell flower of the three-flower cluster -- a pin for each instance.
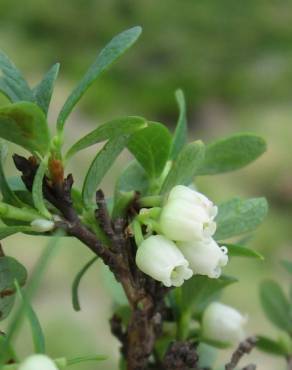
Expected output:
(187, 215)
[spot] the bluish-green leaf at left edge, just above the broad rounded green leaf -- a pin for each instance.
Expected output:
(12, 83)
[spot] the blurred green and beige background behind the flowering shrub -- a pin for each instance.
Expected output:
(233, 59)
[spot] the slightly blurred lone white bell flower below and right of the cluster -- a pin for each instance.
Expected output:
(223, 324)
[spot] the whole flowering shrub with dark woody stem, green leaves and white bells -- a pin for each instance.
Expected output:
(164, 242)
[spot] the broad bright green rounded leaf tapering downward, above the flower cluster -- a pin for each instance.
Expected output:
(151, 146)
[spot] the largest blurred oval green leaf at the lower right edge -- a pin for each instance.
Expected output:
(276, 305)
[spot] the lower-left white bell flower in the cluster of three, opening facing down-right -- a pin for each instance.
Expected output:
(161, 259)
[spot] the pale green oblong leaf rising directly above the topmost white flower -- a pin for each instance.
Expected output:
(185, 166)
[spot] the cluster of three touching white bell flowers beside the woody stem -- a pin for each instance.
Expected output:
(184, 245)
